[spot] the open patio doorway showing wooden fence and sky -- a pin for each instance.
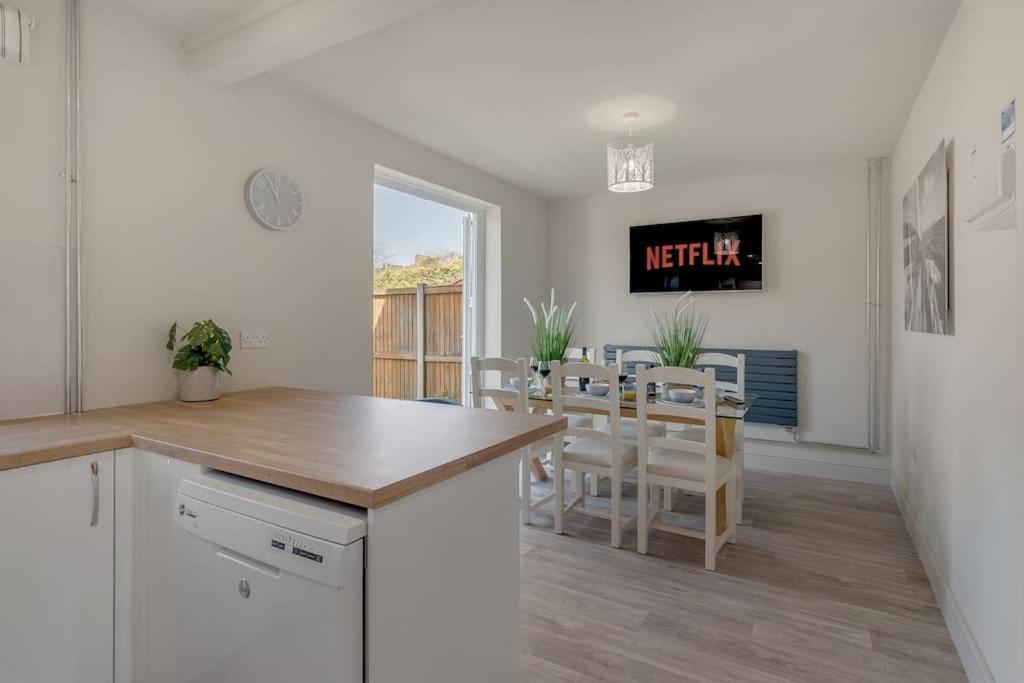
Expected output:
(426, 313)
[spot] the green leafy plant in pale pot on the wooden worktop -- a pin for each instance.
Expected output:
(205, 354)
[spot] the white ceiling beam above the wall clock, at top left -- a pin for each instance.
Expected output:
(252, 48)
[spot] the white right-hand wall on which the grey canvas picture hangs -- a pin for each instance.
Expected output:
(957, 414)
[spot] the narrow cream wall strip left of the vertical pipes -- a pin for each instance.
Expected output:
(32, 222)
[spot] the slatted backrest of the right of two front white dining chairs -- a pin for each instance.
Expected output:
(704, 414)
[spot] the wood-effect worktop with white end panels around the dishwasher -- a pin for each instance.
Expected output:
(438, 486)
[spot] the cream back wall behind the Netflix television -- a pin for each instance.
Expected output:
(816, 234)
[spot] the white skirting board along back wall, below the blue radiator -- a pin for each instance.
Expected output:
(818, 462)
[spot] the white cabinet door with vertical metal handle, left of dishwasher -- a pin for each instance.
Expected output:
(57, 572)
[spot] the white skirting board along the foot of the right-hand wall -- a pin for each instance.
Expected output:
(967, 647)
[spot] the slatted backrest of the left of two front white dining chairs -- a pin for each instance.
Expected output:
(570, 402)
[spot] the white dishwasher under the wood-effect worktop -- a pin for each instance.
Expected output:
(270, 585)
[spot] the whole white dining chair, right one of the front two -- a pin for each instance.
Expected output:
(688, 464)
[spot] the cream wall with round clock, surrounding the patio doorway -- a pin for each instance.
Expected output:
(168, 238)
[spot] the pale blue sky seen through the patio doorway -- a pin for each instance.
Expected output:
(407, 226)
